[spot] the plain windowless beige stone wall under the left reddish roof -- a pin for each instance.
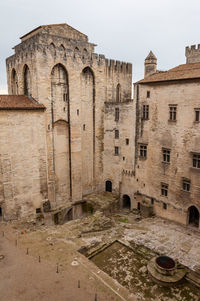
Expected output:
(23, 164)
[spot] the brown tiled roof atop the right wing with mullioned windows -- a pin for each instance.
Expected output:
(181, 72)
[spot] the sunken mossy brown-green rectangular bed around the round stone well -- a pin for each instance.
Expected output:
(128, 267)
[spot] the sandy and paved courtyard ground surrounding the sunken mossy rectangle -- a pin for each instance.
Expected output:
(24, 278)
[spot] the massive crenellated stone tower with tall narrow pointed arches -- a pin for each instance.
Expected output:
(57, 66)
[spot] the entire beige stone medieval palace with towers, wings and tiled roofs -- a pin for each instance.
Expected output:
(69, 127)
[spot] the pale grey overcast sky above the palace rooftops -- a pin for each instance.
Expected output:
(125, 30)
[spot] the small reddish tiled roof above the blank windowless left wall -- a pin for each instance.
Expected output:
(19, 102)
